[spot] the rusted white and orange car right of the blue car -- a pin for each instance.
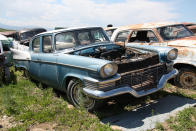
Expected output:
(165, 34)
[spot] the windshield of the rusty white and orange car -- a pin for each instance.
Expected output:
(174, 32)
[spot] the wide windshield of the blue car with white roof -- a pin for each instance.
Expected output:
(70, 39)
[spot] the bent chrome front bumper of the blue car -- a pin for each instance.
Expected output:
(127, 89)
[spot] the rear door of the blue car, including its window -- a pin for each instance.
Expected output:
(34, 64)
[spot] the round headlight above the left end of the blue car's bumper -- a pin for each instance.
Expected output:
(109, 70)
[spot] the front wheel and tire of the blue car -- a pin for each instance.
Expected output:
(78, 98)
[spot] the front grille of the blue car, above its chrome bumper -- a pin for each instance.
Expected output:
(142, 79)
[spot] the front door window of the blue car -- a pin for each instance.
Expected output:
(47, 44)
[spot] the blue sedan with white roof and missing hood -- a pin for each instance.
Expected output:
(84, 63)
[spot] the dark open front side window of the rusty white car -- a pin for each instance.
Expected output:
(146, 36)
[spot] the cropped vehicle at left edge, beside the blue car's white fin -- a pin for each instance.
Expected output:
(5, 59)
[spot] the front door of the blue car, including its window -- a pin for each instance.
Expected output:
(48, 66)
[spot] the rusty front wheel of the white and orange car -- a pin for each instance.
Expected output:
(186, 78)
